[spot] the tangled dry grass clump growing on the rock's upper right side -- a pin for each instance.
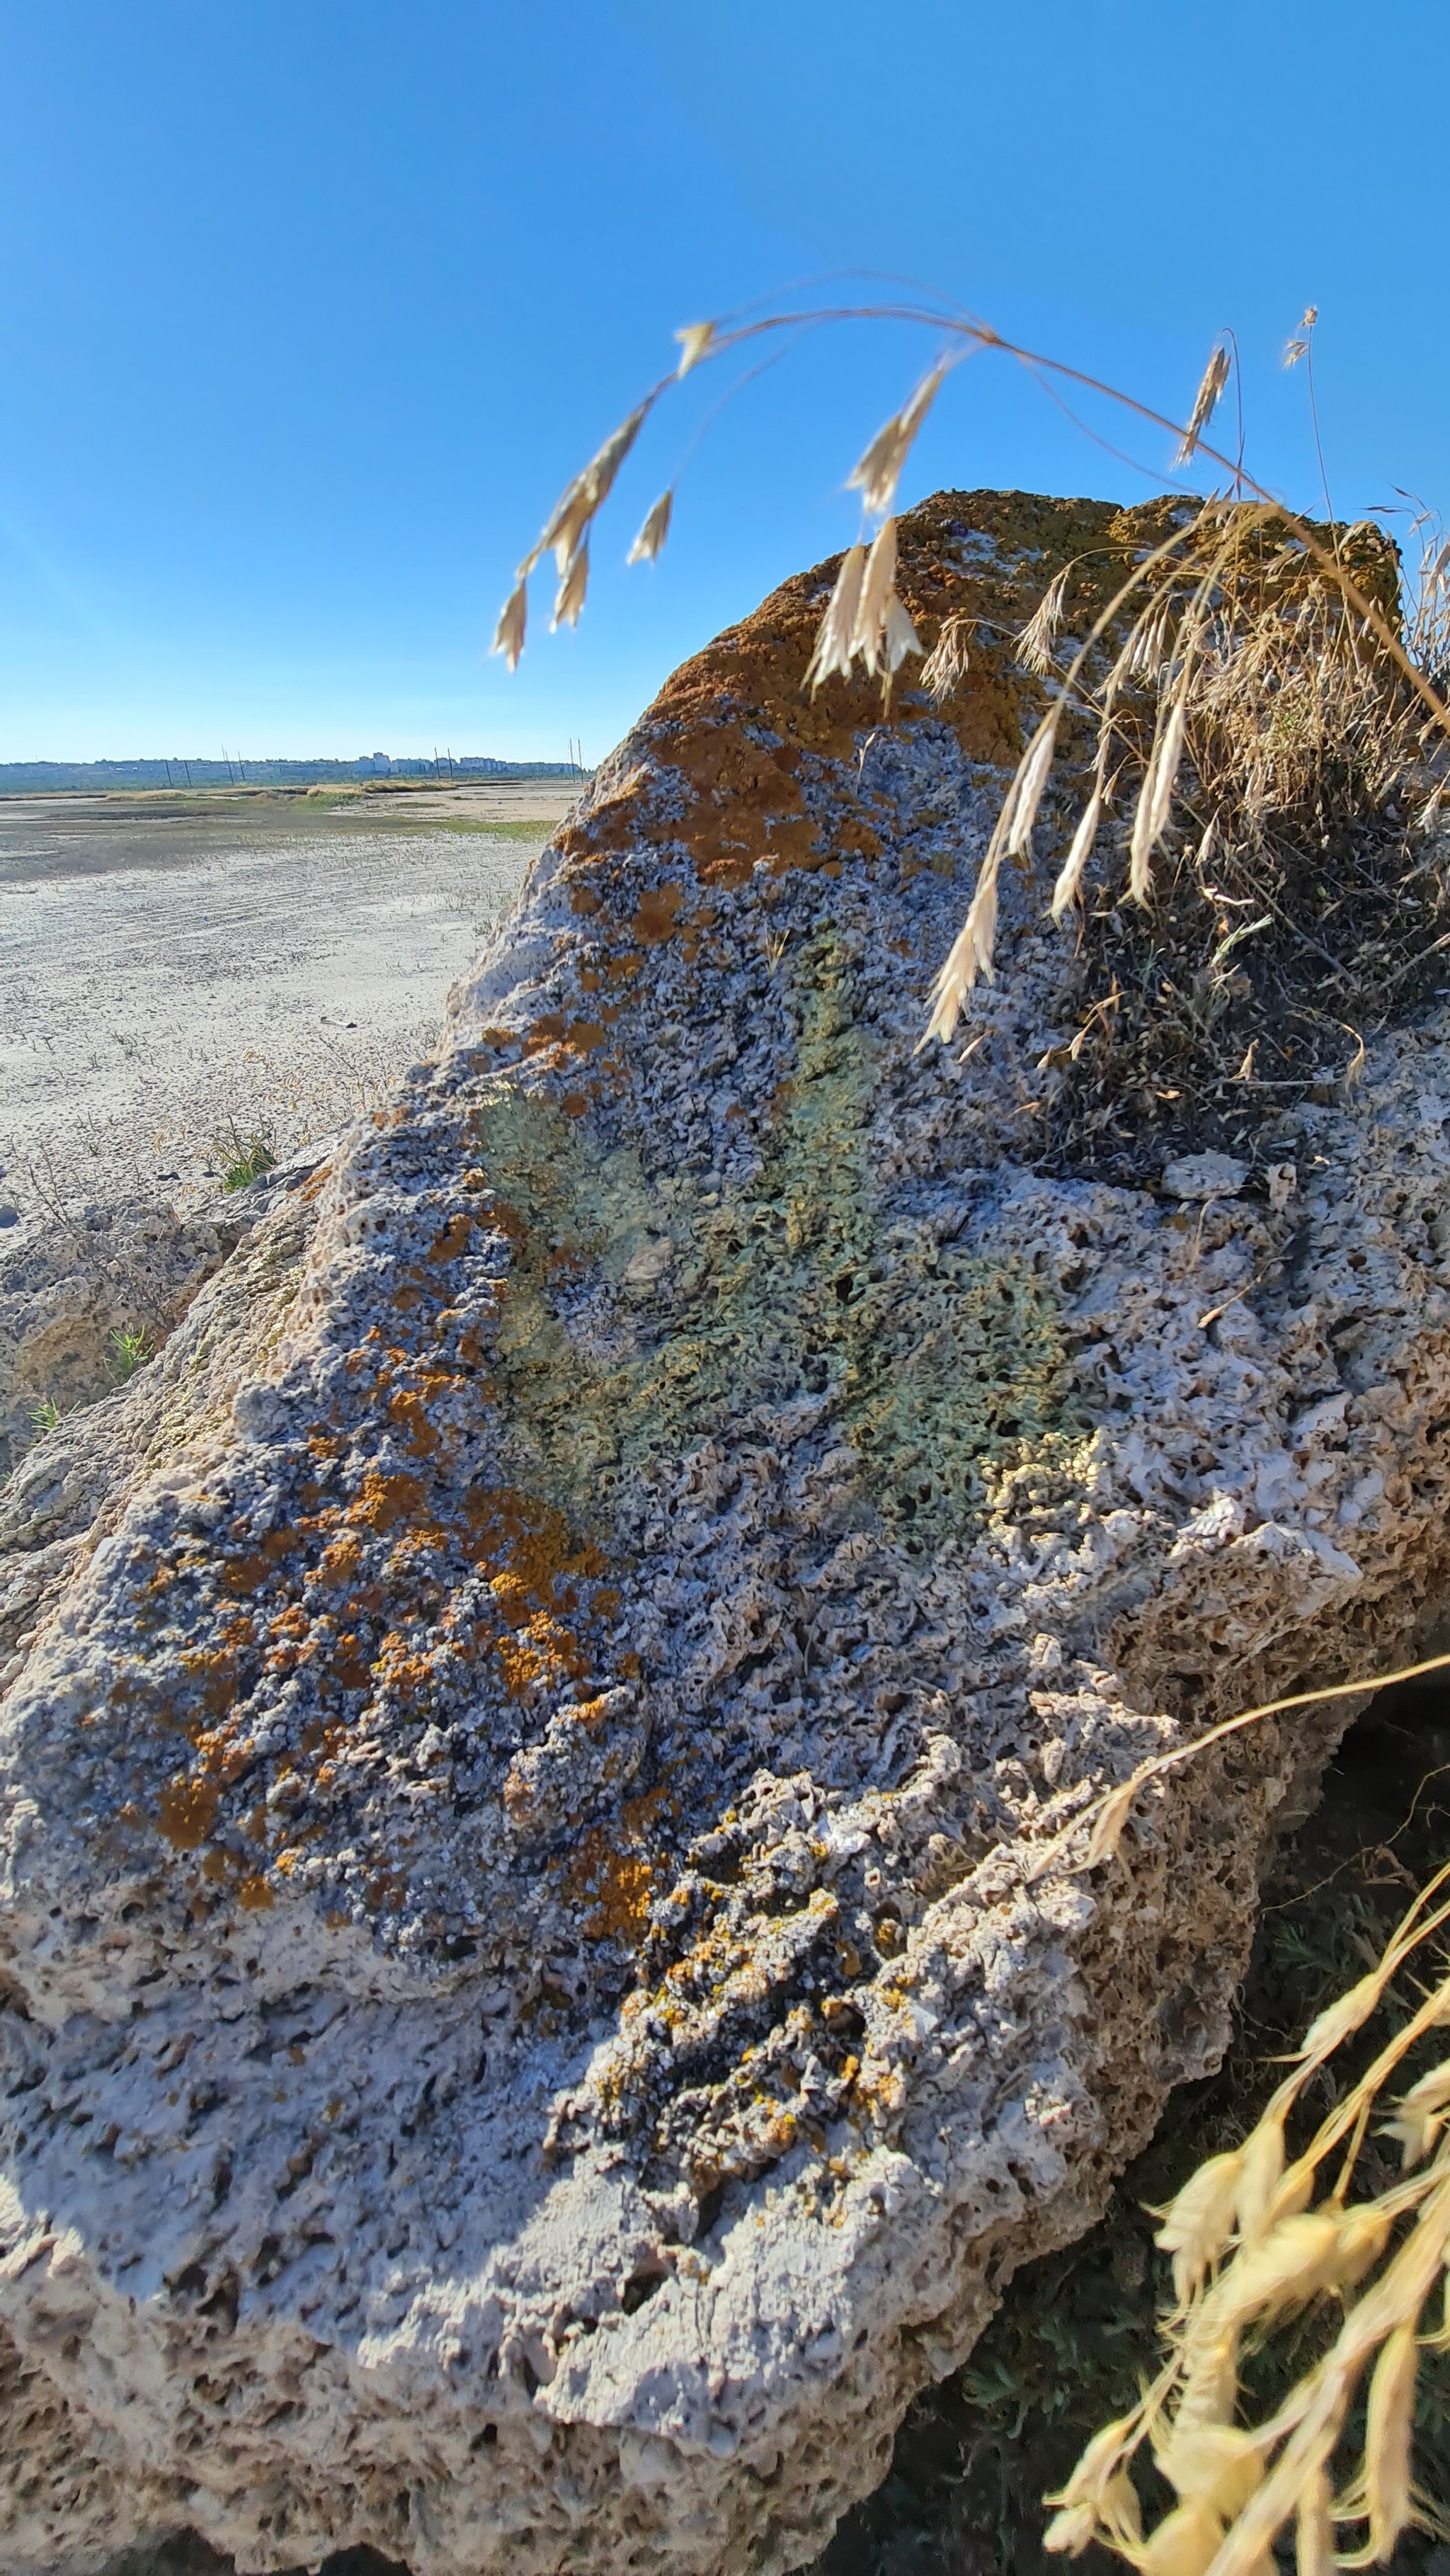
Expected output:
(1256, 877)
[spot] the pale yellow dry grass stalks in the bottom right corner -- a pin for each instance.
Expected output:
(1258, 2242)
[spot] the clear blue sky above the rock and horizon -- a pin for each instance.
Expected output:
(310, 308)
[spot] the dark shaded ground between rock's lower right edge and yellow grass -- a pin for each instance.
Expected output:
(1075, 2333)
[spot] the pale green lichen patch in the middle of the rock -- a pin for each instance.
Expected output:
(941, 1359)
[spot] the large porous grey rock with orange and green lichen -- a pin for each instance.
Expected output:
(550, 1969)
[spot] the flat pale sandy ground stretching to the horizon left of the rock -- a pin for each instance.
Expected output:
(174, 967)
